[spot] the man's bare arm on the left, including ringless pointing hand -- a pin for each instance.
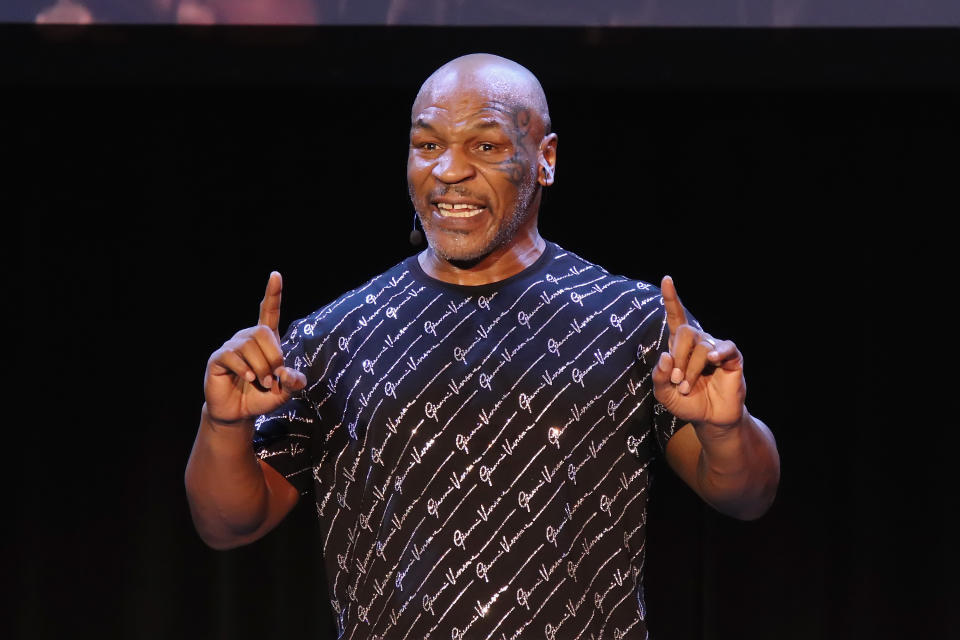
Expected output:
(234, 498)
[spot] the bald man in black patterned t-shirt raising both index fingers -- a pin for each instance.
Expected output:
(477, 423)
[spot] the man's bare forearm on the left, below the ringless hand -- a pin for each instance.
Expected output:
(225, 484)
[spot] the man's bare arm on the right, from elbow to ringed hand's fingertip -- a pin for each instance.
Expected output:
(728, 457)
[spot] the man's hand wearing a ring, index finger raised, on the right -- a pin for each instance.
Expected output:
(700, 380)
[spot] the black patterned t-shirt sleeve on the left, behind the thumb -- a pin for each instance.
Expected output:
(284, 438)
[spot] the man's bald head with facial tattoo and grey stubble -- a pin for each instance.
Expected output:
(480, 150)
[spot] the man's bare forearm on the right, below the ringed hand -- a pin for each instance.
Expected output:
(738, 469)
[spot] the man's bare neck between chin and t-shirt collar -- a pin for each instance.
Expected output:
(500, 264)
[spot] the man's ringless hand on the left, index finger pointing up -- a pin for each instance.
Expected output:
(246, 377)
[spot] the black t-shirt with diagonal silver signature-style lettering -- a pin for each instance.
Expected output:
(479, 455)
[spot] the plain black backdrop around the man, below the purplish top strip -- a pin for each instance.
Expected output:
(798, 185)
